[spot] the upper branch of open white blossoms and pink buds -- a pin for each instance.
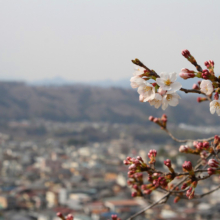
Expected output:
(161, 90)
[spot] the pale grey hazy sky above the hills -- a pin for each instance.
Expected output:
(84, 40)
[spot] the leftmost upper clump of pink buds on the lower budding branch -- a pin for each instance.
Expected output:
(136, 165)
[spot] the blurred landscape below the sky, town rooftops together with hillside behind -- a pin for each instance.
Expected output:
(62, 150)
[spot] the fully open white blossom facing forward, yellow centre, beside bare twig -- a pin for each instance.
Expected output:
(167, 82)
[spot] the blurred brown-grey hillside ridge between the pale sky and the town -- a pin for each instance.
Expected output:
(84, 103)
